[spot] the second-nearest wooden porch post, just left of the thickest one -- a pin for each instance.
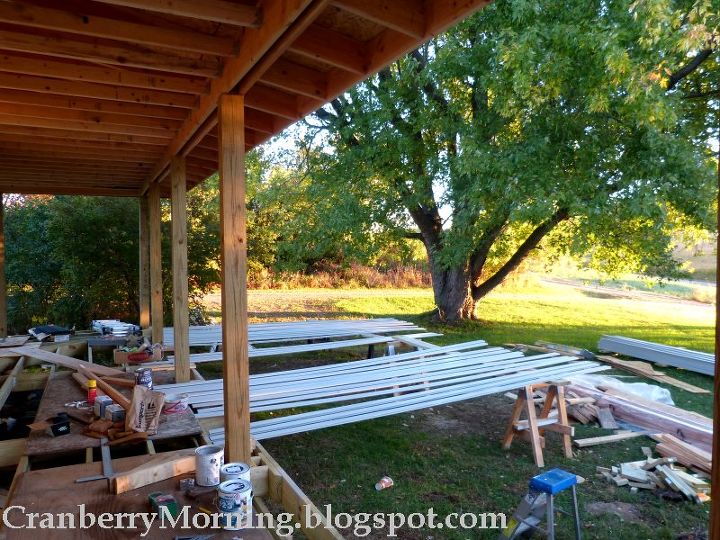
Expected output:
(181, 314)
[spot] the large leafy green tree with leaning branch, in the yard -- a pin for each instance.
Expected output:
(577, 125)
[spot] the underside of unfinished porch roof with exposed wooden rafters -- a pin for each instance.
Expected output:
(96, 97)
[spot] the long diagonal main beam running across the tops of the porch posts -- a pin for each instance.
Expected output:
(278, 15)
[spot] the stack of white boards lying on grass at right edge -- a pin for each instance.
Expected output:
(657, 353)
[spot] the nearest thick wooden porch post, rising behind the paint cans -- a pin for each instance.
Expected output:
(236, 369)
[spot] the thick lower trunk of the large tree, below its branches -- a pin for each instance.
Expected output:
(451, 288)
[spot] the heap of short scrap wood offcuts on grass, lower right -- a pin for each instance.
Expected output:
(662, 474)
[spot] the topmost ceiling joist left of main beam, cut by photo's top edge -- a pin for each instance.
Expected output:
(208, 10)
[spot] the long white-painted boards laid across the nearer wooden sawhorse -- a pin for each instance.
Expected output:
(380, 387)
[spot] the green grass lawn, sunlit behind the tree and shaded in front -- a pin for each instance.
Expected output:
(450, 458)
